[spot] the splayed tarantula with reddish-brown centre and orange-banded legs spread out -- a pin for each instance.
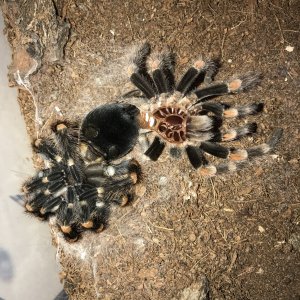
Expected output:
(183, 116)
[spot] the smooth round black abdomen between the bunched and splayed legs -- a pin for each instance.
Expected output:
(111, 129)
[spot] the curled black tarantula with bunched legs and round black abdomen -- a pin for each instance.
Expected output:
(79, 182)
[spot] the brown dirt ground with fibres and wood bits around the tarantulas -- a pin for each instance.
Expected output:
(238, 234)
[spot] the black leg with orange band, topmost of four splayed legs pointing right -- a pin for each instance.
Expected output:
(236, 85)
